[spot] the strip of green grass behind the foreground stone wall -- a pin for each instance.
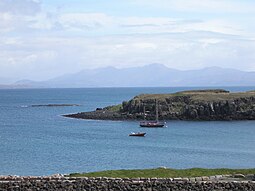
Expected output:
(164, 173)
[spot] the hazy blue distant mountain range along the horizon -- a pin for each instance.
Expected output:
(153, 75)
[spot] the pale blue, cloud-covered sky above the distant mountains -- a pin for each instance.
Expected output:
(42, 39)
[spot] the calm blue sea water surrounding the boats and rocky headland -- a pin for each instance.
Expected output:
(39, 141)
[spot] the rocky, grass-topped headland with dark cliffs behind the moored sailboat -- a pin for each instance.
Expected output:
(211, 104)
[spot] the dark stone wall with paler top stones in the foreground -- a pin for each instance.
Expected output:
(59, 182)
